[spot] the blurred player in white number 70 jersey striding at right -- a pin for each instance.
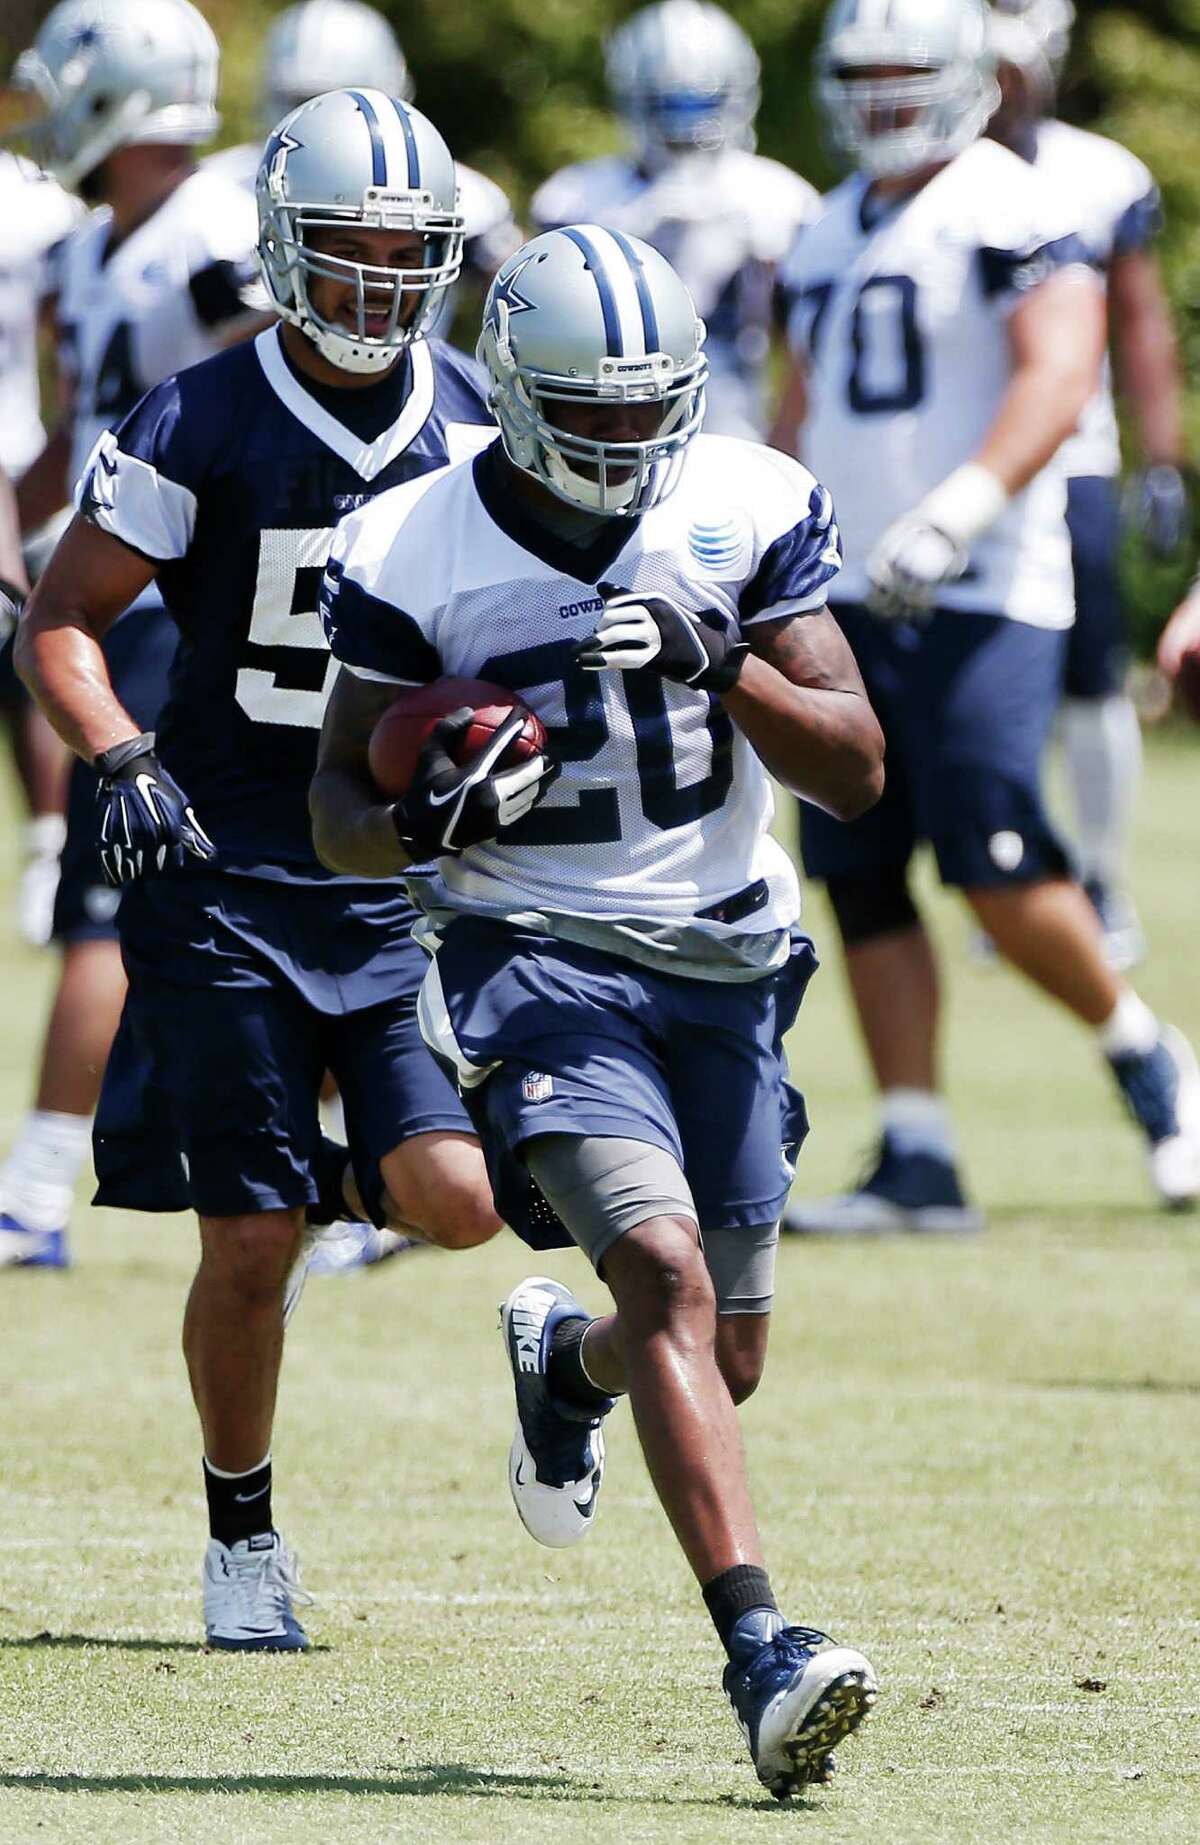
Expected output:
(948, 335)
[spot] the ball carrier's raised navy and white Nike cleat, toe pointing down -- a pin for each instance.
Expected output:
(557, 1460)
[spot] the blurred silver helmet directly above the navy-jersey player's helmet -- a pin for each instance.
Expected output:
(330, 45)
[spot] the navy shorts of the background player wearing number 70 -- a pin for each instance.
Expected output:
(966, 704)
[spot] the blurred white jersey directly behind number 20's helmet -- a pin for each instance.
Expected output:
(725, 222)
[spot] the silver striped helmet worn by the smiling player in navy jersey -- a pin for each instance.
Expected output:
(359, 158)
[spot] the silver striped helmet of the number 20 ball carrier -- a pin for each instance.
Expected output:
(595, 318)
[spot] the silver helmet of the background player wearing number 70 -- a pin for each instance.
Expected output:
(896, 125)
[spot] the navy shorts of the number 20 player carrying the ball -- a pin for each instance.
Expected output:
(588, 1043)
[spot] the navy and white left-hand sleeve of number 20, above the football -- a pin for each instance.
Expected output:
(365, 625)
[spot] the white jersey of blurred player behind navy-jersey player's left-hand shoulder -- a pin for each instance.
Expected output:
(163, 300)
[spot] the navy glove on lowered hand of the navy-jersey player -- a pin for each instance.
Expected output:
(147, 822)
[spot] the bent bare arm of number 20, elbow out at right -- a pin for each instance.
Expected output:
(802, 704)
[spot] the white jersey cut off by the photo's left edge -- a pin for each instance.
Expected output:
(34, 217)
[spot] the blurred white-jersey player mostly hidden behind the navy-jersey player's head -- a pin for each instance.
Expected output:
(326, 45)
